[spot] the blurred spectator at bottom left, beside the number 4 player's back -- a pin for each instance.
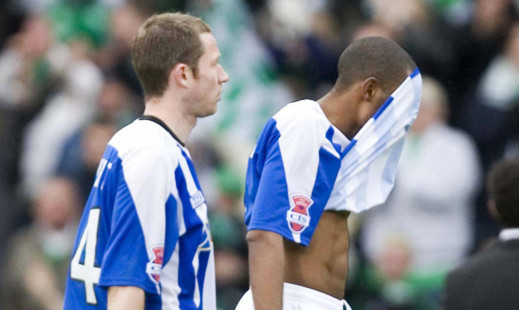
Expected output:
(38, 255)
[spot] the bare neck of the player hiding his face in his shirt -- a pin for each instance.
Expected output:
(341, 111)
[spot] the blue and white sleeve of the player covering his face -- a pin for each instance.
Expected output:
(292, 171)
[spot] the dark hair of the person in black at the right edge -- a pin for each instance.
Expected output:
(503, 189)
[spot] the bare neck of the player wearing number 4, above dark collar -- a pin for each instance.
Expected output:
(173, 115)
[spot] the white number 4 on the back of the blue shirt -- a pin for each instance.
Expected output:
(87, 272)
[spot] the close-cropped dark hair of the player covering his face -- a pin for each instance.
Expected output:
(375, 57)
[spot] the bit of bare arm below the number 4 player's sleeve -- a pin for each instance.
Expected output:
(125, 298)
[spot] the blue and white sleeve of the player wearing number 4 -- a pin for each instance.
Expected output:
(138, 226)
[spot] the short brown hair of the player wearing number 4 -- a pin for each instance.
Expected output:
(163, 41)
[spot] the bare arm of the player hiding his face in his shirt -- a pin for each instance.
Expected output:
(267, 266)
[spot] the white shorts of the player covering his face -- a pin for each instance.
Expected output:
(297, 297)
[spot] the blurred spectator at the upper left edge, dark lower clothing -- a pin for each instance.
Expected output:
(29, 68)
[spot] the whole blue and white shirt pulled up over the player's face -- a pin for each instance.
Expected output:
(303, 165)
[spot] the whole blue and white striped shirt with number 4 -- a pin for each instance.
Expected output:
(144, 225)
